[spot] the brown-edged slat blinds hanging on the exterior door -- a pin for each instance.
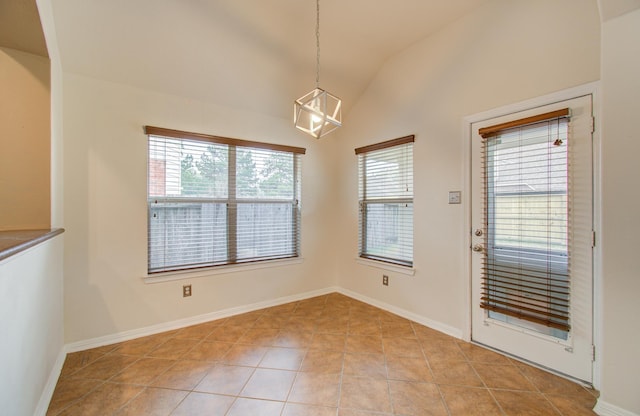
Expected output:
(526, 263)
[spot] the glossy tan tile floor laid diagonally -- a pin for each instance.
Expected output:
(328, 355)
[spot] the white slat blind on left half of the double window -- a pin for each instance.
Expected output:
(187, 205)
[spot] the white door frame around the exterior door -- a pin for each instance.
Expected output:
(467, 134)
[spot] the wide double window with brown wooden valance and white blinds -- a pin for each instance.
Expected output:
(215, 201)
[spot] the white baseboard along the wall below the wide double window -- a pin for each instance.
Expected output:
(194, 320)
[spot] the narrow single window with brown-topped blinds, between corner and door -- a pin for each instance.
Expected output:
(385, 190)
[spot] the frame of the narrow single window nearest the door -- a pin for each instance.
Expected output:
(364, 202)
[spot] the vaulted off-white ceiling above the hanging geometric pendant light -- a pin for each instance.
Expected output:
(257, 55)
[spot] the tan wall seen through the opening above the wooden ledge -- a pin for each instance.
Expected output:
(24, 141)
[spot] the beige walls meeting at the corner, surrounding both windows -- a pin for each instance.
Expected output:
(427, 90)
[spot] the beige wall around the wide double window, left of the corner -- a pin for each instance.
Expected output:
(105, 207)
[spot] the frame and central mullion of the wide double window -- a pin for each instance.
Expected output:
(232, 201)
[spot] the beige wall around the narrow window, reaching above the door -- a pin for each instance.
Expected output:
(502, 53)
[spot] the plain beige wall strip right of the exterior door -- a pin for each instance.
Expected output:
(620, 208)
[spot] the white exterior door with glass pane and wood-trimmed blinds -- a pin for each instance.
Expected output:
(532, 235)
